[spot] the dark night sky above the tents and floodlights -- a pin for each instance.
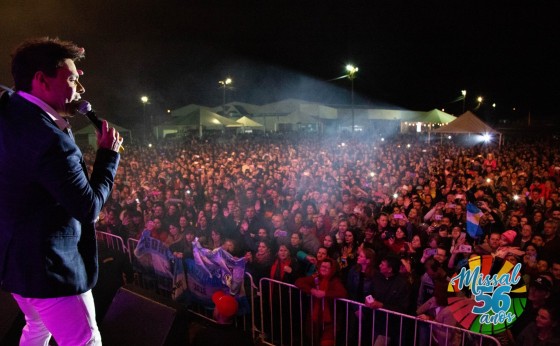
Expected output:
(415, 55)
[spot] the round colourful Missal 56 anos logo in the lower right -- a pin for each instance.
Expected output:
(488, 296)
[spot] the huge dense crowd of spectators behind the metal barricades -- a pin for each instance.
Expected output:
(380, 222)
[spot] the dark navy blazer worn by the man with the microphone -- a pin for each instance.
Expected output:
(47, 204)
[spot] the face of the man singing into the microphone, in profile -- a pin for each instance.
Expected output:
(64, 87)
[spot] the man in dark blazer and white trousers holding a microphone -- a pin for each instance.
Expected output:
(49, 261)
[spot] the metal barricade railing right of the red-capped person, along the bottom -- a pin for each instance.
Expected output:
(286, 318)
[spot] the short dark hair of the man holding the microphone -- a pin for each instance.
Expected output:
(41, 54)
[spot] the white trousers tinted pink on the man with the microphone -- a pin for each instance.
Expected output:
(70, 320)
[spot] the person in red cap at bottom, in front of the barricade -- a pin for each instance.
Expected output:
(222, 331)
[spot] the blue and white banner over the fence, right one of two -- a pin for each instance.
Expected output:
(213, 270)
